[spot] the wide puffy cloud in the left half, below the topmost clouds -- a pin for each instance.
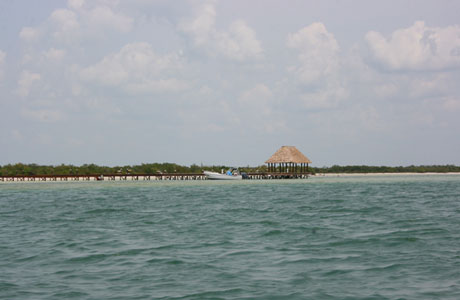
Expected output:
(136, 68)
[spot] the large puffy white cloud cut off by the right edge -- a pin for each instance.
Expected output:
(418, 47)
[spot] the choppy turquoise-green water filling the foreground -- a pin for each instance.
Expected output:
(323, 238)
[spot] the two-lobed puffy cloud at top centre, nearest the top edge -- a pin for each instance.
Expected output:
(238, 43)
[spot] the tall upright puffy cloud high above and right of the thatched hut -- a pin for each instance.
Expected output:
(318, 55)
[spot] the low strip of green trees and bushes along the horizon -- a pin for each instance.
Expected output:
(21, 169)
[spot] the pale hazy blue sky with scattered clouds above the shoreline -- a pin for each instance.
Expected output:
(116, 82)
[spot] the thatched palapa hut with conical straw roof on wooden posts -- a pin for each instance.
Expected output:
(288, 160)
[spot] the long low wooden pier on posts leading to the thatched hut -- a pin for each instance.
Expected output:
(142, 177)
